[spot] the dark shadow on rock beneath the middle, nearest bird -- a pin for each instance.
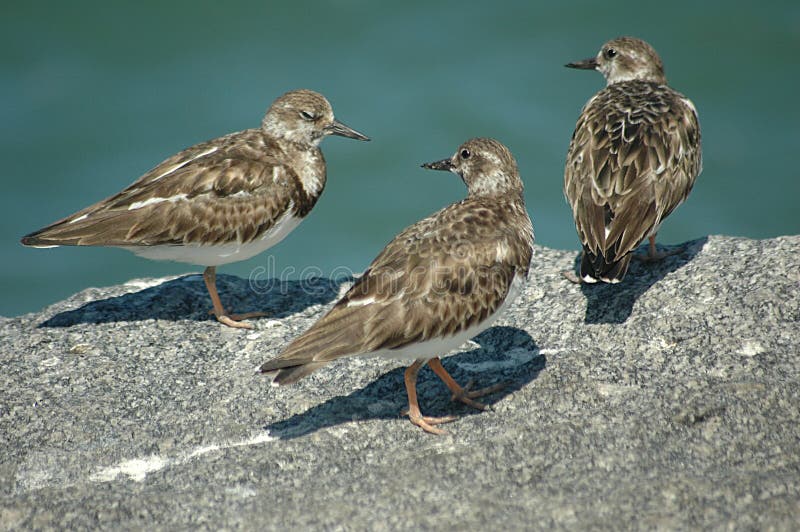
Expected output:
(506, 354)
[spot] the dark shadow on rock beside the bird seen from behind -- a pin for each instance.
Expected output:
(613, 303)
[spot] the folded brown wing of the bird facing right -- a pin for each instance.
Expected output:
(231, 188)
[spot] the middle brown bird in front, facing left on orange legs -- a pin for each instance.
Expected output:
(438, 283)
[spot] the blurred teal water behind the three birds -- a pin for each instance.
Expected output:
(94, 94)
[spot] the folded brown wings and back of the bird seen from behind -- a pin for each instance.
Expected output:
(633, 158)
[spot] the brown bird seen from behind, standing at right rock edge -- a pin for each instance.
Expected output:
(634, 157)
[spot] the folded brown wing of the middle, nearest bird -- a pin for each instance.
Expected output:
(437, 278)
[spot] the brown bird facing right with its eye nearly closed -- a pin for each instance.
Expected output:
(217, 202)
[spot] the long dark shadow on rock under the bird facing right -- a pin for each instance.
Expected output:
(186, 298)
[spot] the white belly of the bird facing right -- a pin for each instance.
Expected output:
(219, 254)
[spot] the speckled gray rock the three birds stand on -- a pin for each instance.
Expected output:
(670, 401)
